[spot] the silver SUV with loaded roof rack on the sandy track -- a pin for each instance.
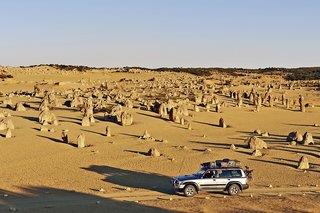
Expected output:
(221, 175)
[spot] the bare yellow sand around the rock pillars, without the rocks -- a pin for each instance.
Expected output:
(40, 173)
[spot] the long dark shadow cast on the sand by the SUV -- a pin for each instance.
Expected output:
(133, 179)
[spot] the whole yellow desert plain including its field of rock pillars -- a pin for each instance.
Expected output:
(40, 172)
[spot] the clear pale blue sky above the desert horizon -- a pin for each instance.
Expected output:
(158, 33)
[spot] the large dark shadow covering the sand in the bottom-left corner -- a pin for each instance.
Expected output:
(47, 199)
